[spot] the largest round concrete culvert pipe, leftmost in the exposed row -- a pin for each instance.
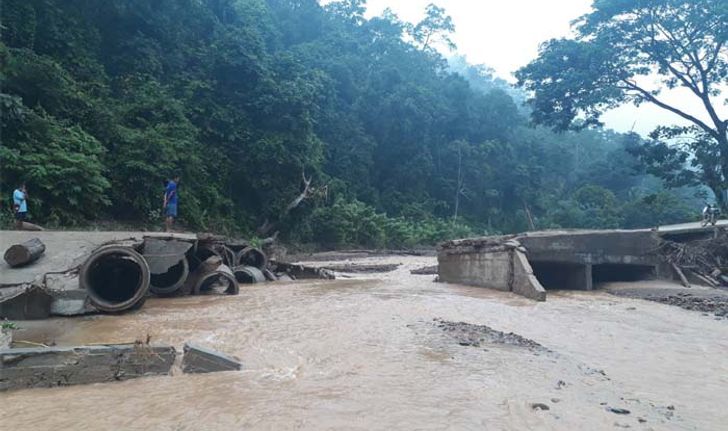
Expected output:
(116, 278)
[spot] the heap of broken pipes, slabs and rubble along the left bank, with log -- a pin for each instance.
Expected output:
(120, 275)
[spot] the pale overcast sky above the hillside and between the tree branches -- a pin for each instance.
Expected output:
(505, 35)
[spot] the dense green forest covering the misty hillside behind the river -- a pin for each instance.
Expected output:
(255, 103)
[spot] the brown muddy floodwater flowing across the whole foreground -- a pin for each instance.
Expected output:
(397, 351)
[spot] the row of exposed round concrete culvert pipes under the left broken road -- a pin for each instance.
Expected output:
(120, 277)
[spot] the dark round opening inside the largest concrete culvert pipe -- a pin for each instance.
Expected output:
(115, 278)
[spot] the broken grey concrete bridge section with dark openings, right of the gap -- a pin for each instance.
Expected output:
(531, 263)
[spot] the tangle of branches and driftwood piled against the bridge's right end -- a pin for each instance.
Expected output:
(702, 261)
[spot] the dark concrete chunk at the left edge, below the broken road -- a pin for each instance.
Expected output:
(24, 302)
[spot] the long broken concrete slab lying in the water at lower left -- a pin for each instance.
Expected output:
(44, 367)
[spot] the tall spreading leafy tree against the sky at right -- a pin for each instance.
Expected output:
(622, 43)
